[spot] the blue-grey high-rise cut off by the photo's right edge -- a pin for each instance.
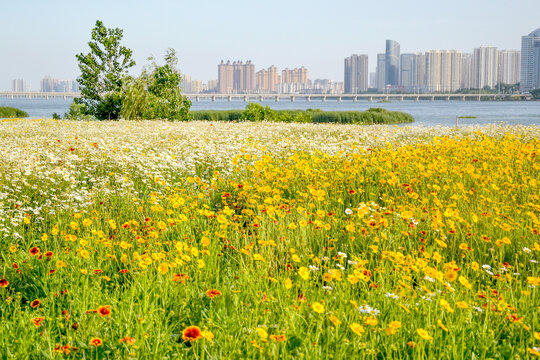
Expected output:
(530, 61)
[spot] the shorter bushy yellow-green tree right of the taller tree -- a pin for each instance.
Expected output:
(156, 93)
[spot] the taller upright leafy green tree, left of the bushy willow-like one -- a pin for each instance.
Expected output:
(103, 71)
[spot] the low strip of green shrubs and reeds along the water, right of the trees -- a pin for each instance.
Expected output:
(256, 112)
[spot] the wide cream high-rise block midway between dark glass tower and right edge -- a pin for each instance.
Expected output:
(443, 70)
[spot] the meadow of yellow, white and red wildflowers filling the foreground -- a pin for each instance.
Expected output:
(204, 240)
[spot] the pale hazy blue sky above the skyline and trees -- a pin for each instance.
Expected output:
(39, 38)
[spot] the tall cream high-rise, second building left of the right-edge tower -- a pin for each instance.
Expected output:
(486, 66)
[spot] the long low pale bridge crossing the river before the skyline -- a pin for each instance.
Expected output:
(291, 97)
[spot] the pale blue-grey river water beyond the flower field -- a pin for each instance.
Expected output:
(425, 113)
